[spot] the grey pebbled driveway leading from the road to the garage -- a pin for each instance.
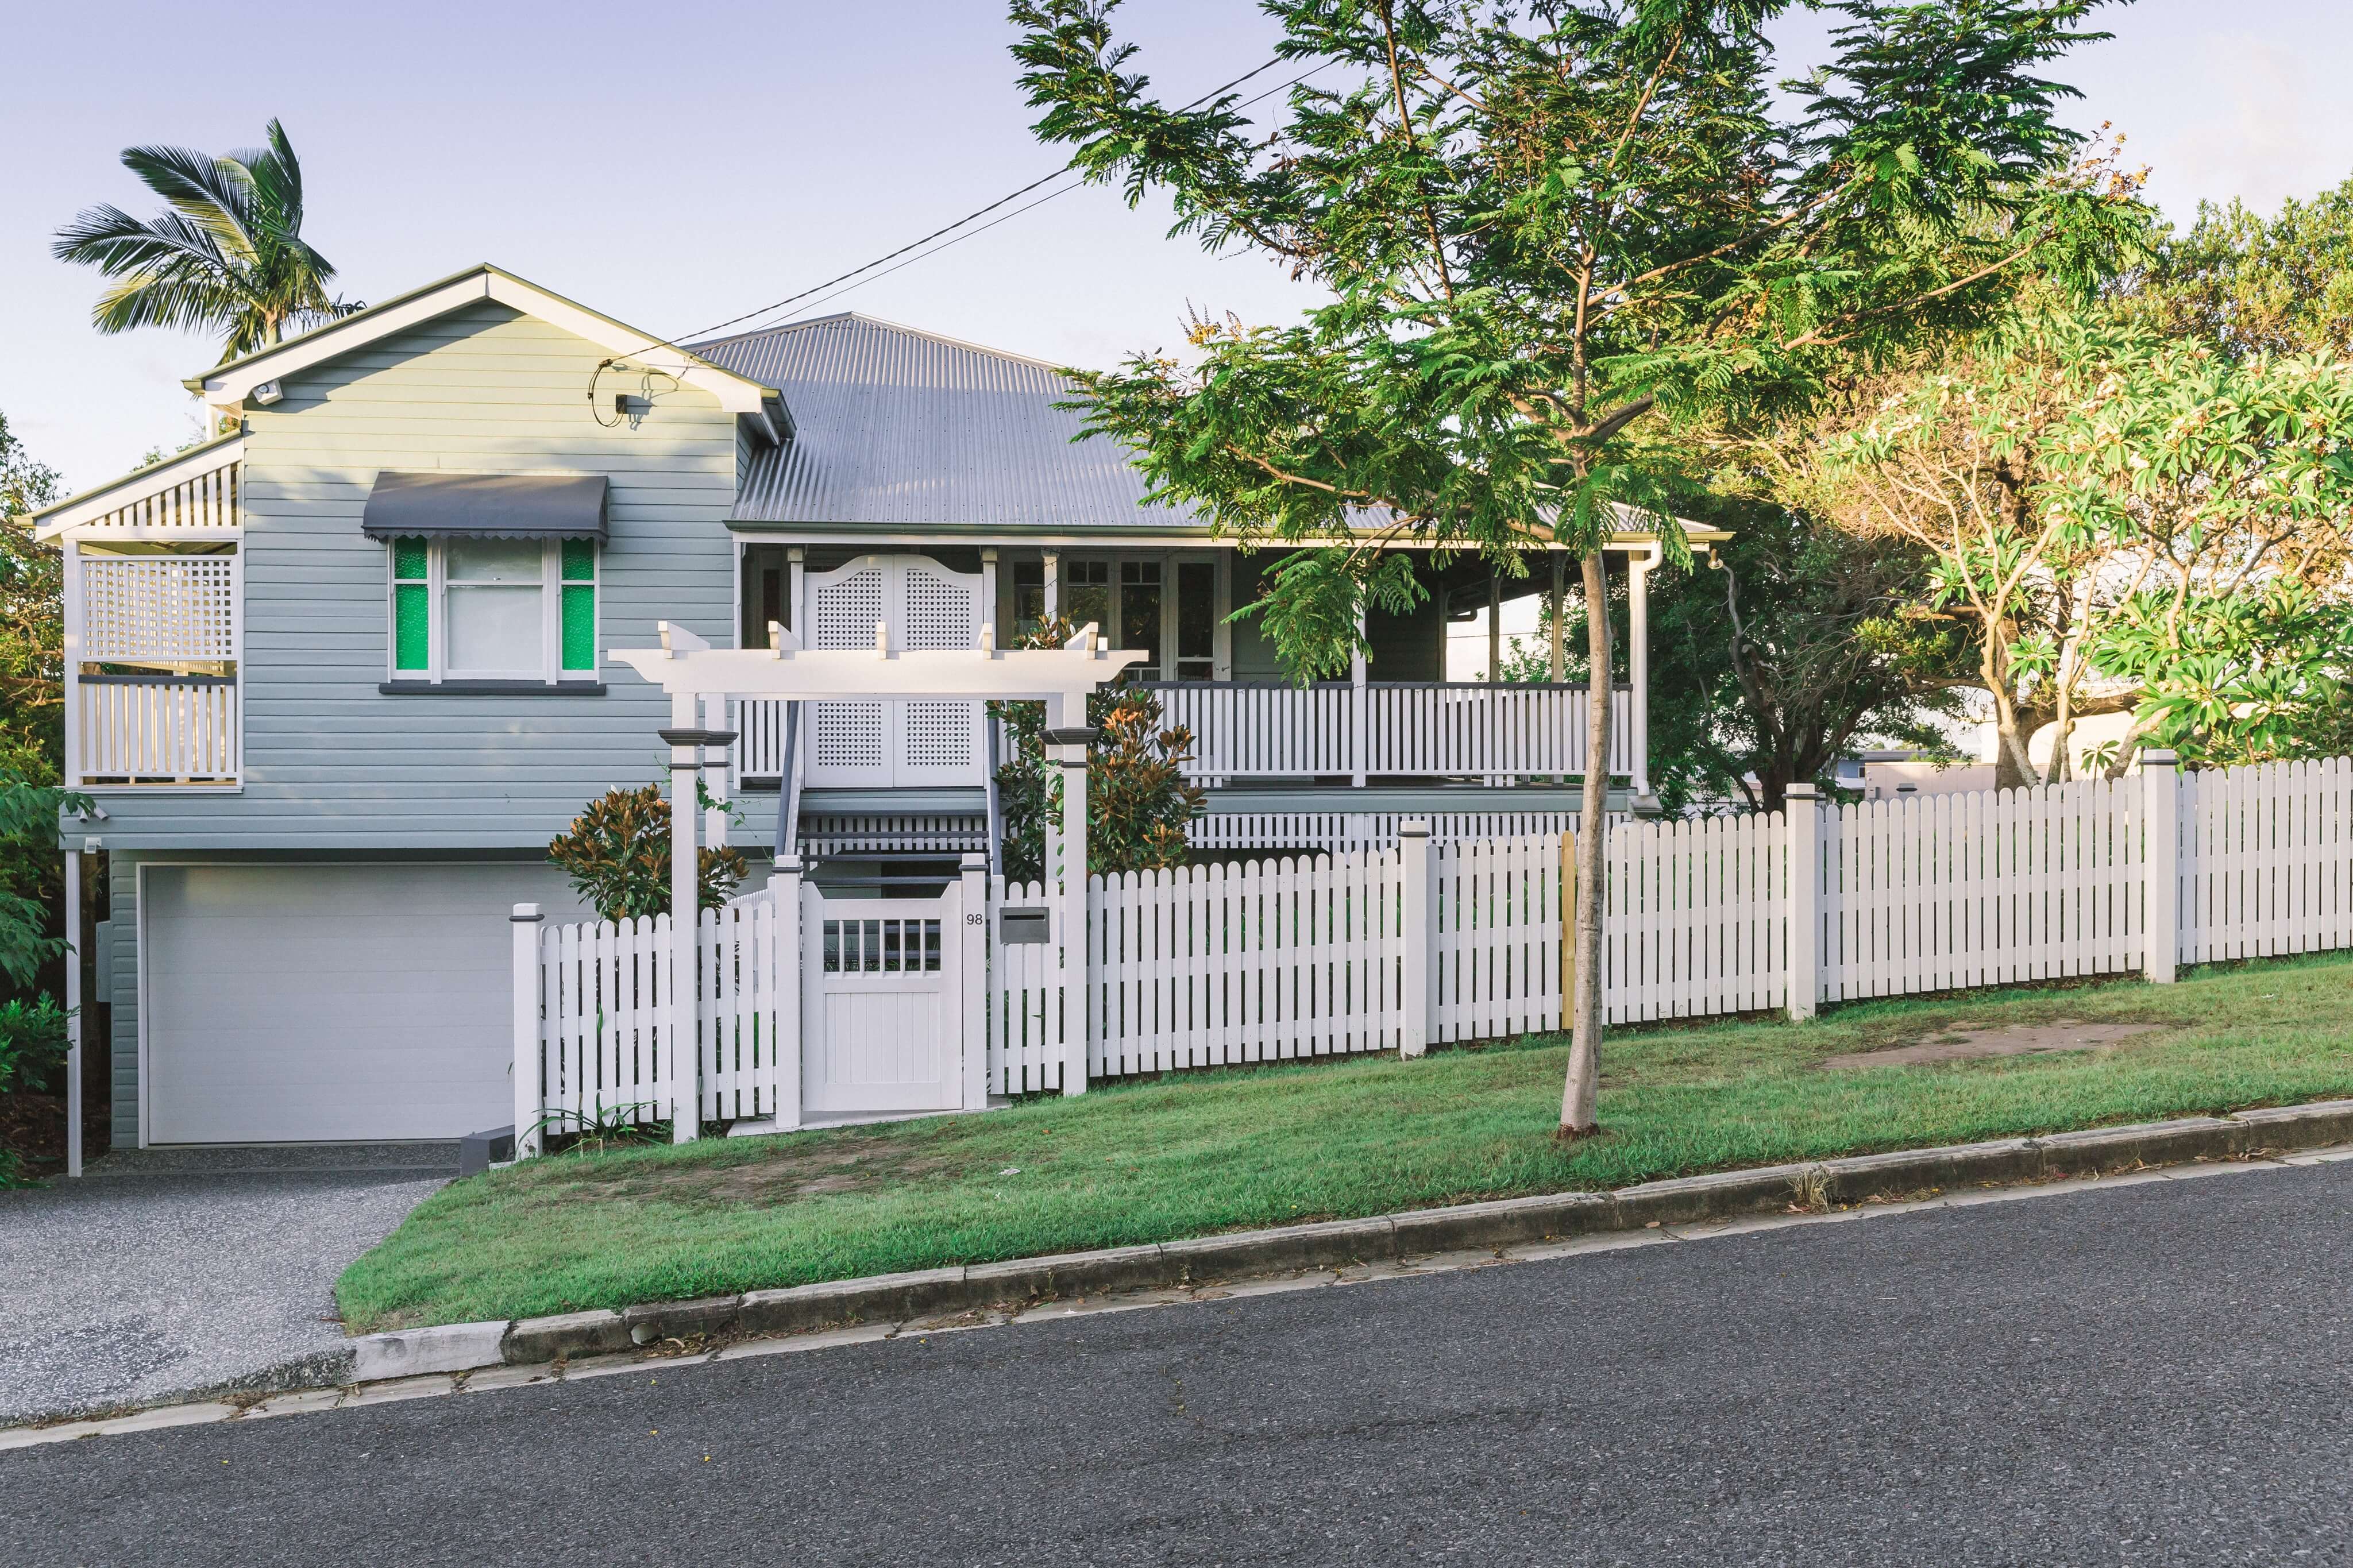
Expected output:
(178, 1271)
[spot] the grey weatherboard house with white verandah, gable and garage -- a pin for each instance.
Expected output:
(338, 676)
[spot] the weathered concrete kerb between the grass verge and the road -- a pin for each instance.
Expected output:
(1335, 1245)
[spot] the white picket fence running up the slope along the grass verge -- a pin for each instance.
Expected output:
(1415, 944)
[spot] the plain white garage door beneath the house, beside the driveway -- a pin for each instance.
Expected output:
(331, 1003)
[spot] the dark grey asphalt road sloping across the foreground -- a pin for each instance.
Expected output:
(2159, 1374)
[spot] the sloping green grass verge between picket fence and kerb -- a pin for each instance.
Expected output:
(1246, 1148)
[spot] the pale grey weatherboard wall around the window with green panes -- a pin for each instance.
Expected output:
(331, 763)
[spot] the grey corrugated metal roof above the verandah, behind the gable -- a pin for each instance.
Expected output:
(900, 427)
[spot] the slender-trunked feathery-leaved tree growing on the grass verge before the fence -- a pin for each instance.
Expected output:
(1552, 234)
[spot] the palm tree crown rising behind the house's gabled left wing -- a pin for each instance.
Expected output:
(227, 257)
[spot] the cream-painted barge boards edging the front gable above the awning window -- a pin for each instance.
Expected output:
(229, 384)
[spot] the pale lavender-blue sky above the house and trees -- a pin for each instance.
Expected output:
(679, 163)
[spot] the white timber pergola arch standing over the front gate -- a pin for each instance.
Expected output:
(691, 671)
